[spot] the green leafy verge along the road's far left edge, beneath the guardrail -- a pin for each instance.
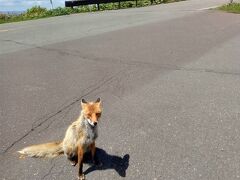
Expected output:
(38, 12)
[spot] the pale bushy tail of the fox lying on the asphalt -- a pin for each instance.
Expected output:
(48, 150)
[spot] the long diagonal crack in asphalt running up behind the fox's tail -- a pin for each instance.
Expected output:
(104, 82)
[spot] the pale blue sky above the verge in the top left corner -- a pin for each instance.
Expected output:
(21, 5)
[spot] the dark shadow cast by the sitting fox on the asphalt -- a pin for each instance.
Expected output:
(119, 164)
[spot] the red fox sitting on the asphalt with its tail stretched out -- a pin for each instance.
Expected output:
(79, 138)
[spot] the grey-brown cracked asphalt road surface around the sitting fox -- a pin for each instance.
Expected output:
(168, 76)
